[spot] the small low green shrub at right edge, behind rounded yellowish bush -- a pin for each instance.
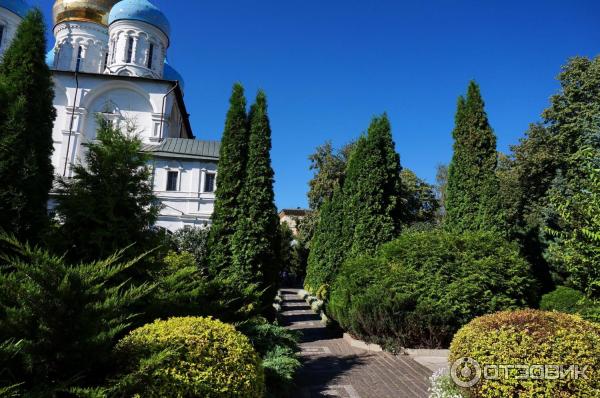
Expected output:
(571, 301)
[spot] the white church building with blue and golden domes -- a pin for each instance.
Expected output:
(110, 59)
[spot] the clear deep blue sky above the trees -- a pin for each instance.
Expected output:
(329, 66)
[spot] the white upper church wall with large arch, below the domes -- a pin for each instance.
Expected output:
(137, 101)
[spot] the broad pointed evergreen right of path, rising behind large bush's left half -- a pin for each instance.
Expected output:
(372, 208)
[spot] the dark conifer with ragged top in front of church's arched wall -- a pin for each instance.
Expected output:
(108, 205)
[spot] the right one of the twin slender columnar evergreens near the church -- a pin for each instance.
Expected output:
(255, 242)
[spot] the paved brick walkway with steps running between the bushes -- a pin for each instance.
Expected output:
(332, 368)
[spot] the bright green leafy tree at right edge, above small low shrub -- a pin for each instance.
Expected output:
(576, 247)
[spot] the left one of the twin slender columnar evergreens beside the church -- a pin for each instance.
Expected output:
(232, 173)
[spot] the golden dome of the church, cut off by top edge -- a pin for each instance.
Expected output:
(82, 10)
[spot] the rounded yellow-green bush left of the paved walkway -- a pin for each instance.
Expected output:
(190, 357)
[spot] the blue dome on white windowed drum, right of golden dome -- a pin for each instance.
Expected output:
(139, 10)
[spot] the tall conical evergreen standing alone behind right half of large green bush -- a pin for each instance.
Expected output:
(472, 202)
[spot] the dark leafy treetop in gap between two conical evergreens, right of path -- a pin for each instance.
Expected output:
(419, 202)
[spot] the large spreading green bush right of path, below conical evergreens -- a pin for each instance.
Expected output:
(425, 285)
